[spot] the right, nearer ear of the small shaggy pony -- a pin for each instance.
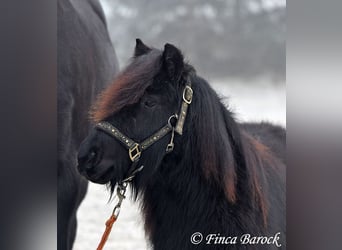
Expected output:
(173, 62)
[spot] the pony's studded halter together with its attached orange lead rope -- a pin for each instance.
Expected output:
(135, 150)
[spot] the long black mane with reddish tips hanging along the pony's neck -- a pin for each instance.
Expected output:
(227, 155)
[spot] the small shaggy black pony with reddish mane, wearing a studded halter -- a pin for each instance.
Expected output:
(220, 180)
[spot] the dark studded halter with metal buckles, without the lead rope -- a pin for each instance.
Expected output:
(135, 149)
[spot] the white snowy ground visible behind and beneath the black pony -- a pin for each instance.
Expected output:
(250, 102)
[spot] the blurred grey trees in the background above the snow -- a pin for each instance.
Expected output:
(236, 38)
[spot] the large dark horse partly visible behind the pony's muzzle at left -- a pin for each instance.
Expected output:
(86, 64)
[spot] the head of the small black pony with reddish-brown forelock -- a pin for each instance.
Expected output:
(139, 102)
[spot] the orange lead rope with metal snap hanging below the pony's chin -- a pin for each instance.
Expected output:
(120, 192)
